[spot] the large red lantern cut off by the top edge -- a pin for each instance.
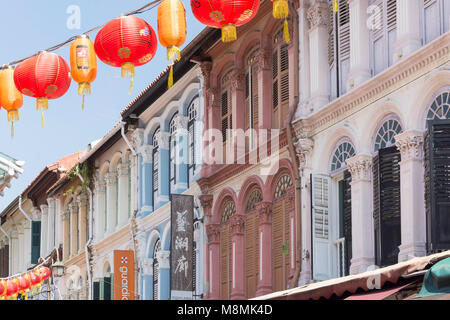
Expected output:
(225, 14)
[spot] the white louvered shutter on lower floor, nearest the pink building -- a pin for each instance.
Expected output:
(321, 255)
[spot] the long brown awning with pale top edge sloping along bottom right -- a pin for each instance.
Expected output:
(350, 284)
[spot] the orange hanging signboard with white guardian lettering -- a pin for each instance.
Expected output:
(123, 275)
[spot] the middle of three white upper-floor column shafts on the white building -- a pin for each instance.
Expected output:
(360, 70)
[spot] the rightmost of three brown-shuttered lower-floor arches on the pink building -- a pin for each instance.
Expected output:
(280, 232)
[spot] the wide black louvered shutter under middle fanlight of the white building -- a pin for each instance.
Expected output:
(387, 206)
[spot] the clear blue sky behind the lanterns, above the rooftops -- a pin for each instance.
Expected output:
(28, 26)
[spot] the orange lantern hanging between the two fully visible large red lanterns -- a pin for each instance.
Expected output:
(83, 64)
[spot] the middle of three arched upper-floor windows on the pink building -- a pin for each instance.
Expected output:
(251, 98)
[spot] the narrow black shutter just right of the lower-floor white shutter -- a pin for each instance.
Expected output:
(347, 196)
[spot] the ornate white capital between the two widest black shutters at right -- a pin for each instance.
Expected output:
(410, 144)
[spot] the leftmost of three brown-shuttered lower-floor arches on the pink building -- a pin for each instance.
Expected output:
(226, 258)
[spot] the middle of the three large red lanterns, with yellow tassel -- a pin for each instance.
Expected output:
(126, 42)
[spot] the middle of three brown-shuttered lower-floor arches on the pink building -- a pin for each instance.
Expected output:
(251, 242)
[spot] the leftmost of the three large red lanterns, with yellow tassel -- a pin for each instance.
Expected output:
(44, 76)
